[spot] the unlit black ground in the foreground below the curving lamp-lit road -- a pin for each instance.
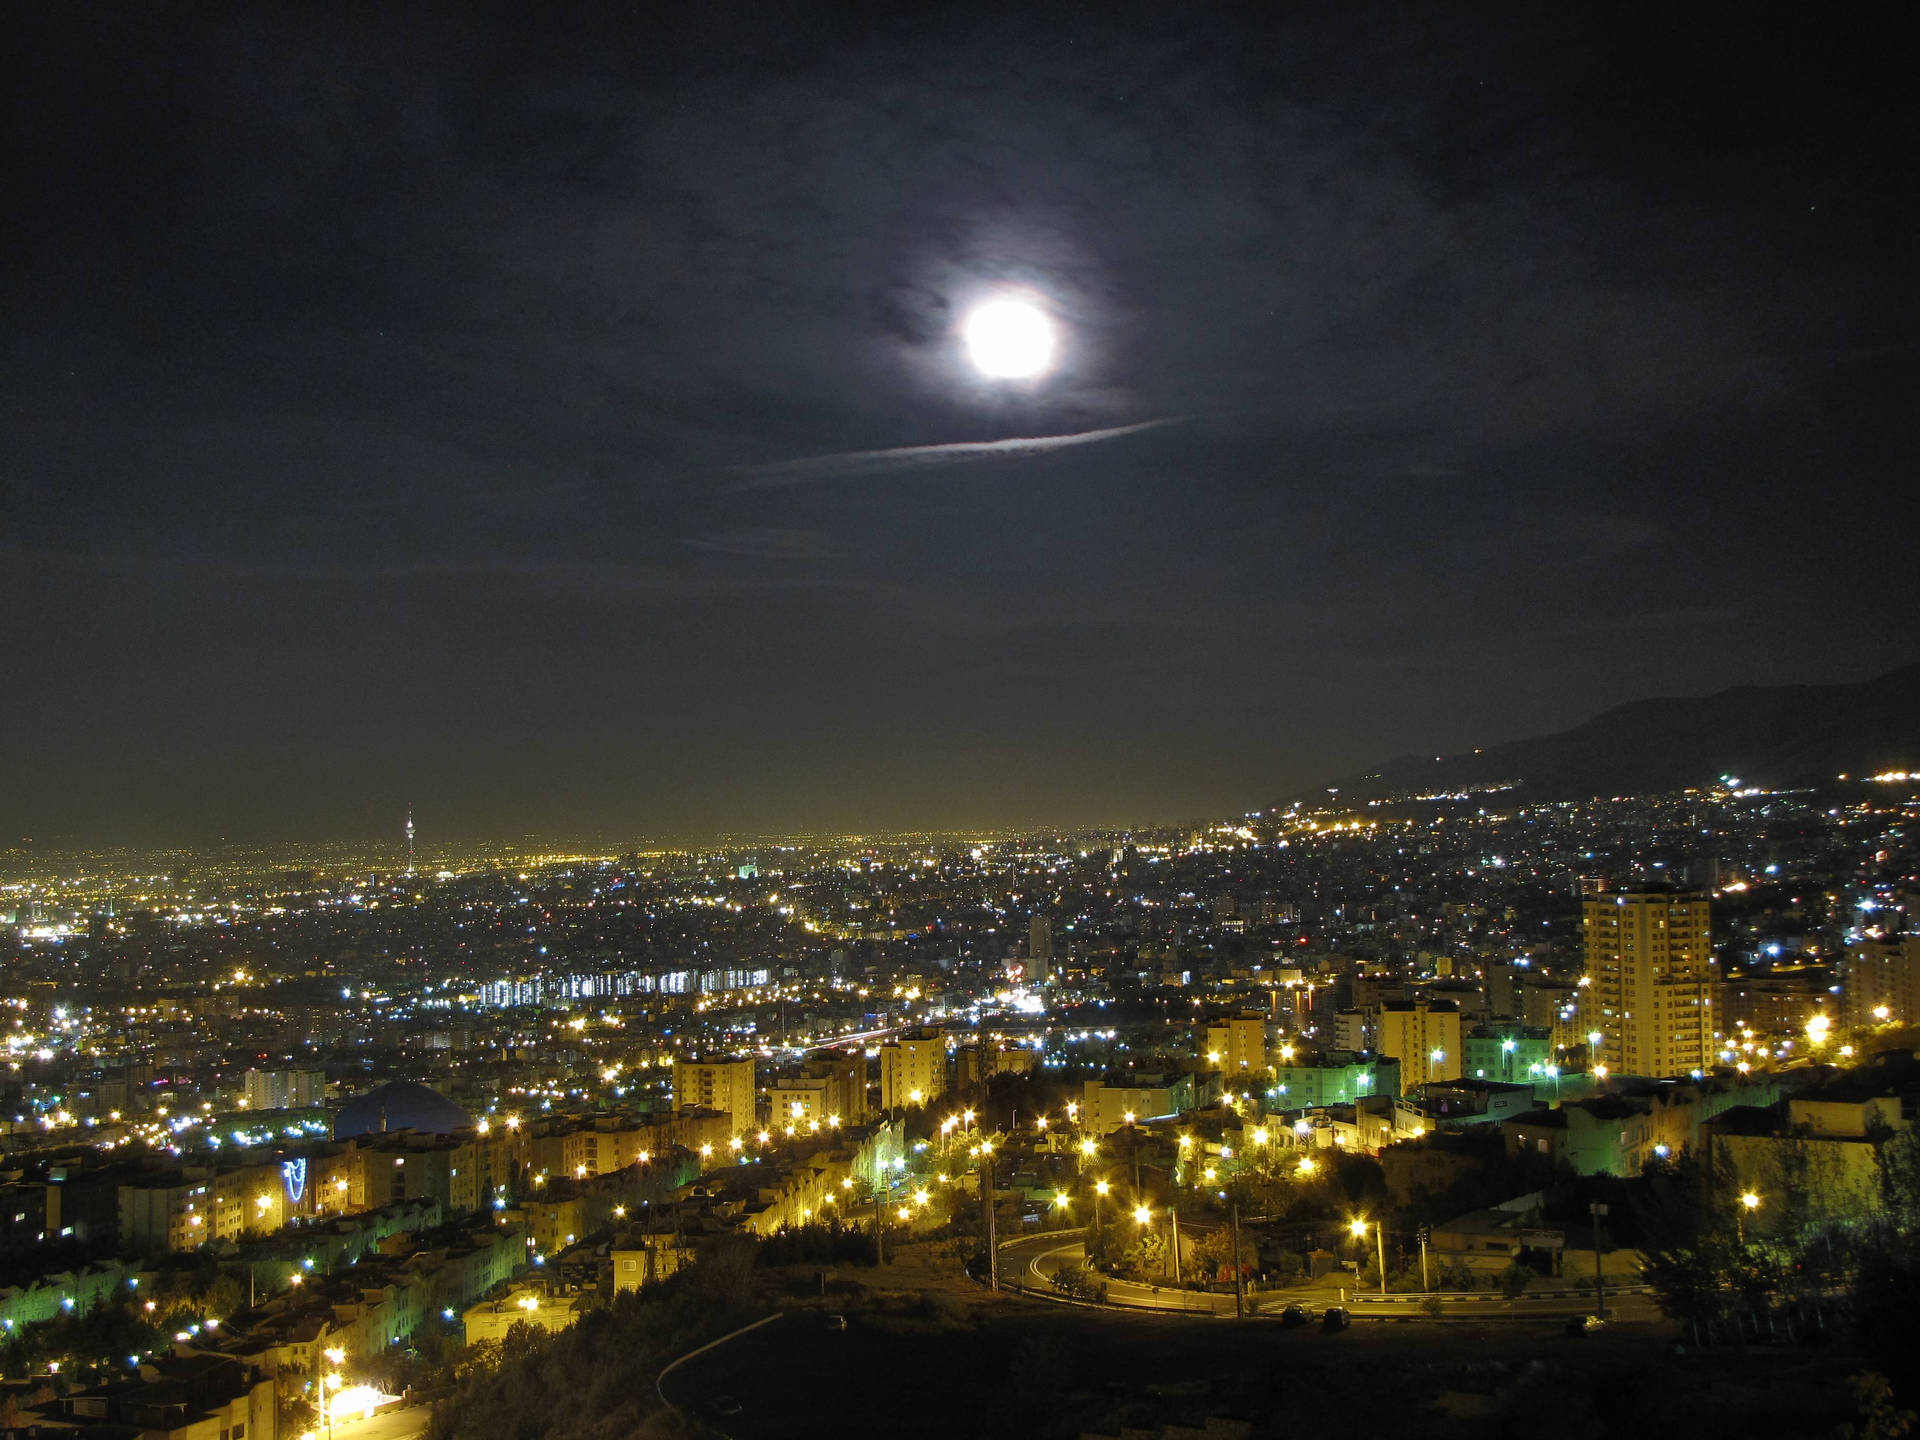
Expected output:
(1032, 1370)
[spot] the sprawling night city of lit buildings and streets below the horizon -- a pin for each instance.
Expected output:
(291, 1132)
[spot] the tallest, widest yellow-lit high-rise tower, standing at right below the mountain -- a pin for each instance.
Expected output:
(1650, 963)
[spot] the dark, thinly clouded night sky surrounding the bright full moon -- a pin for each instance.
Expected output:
(556, 418)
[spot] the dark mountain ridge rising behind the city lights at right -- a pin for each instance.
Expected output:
(1765, 736)
